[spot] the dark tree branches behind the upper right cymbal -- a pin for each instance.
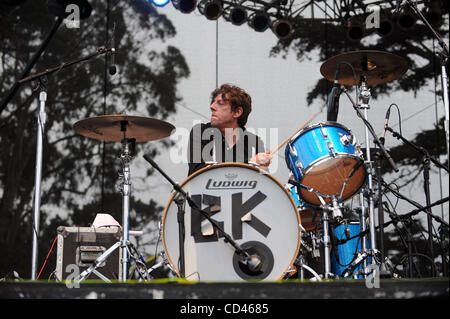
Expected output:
(323, 40)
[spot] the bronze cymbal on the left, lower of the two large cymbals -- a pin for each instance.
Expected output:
(116, 127)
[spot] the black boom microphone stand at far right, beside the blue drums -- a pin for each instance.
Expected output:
(426, 159)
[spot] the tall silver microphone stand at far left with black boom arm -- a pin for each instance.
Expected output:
(41, 120)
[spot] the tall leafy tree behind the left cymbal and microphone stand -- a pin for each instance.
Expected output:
(78, 173)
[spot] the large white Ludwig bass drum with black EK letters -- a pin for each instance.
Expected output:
(252, 207)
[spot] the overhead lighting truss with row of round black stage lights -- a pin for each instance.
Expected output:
(283, 16)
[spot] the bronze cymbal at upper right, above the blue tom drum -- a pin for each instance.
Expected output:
(377, 67)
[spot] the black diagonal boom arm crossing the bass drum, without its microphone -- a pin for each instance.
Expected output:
(242, 253)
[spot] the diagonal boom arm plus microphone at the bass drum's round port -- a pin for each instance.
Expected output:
(245, 257)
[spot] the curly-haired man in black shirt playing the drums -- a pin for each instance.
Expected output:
(224, 138)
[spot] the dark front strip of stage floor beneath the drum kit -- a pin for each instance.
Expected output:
(435, 288)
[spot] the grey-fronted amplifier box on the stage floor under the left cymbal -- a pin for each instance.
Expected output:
(79, 247)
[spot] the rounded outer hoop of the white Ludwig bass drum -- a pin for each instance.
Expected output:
(237, 164)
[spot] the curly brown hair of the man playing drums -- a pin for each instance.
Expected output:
(237, 97)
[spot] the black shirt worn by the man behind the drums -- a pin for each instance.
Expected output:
(207, 144)
